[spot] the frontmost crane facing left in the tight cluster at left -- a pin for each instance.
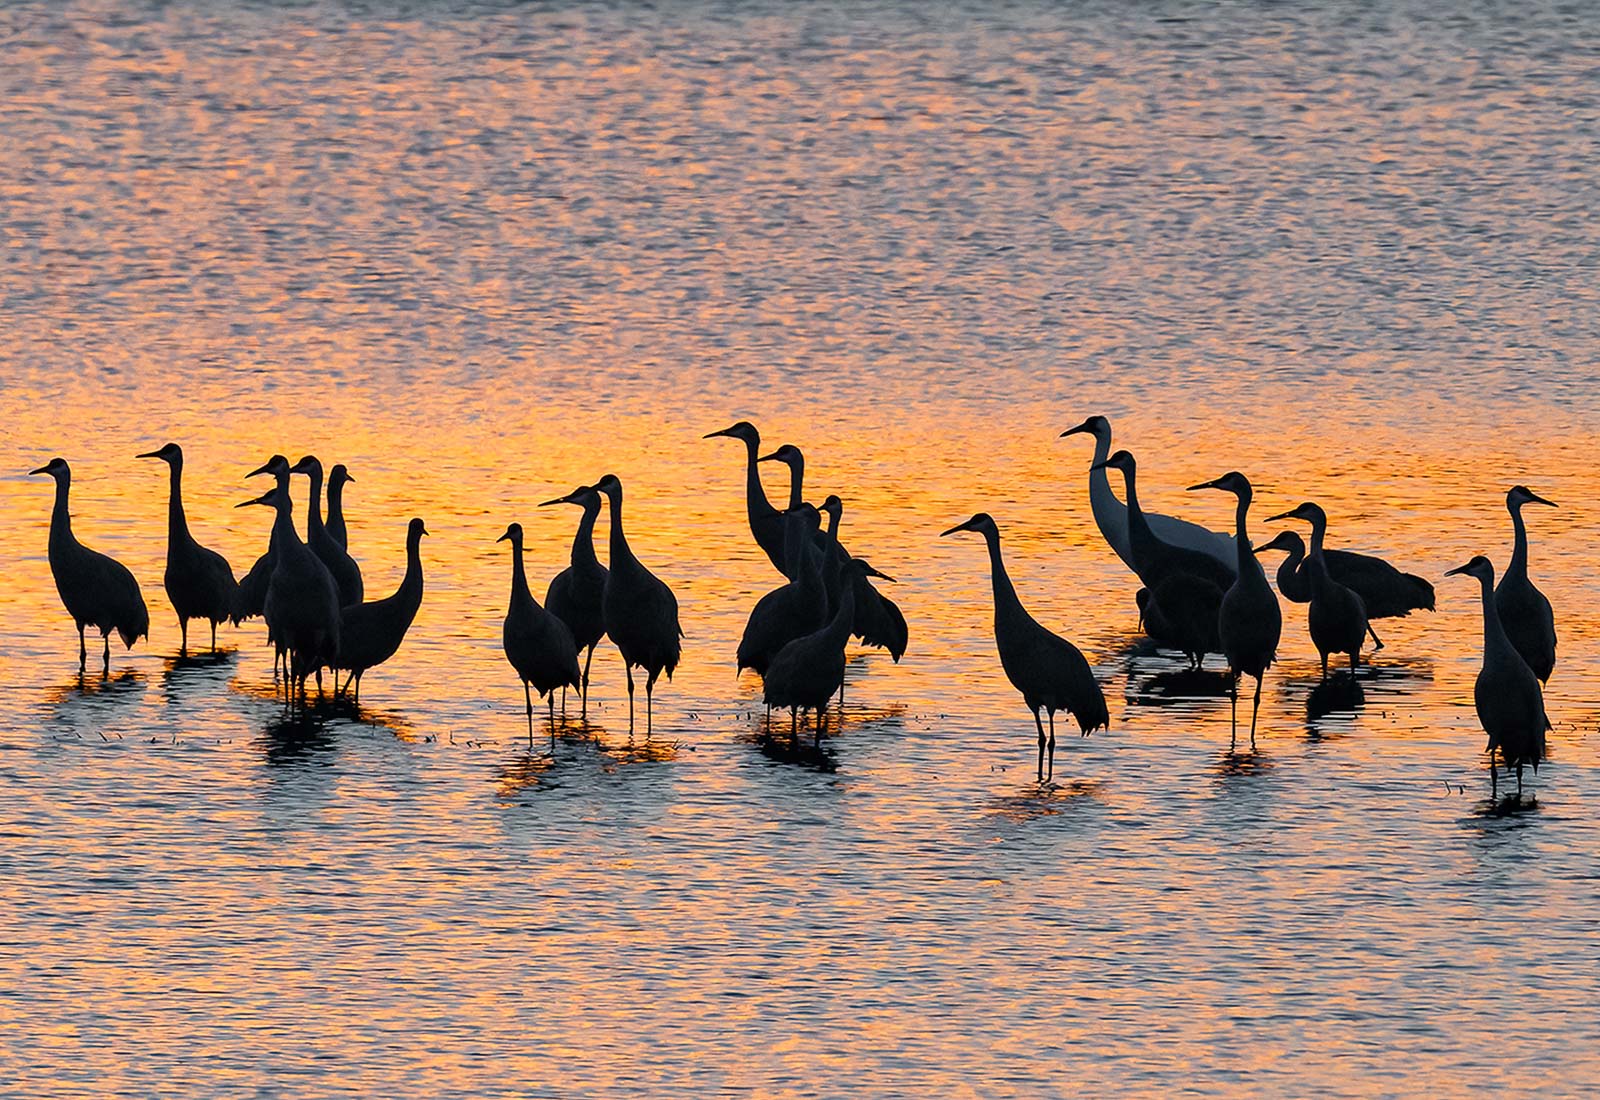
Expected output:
(303, 602)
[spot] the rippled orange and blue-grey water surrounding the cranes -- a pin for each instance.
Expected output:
(484, 255)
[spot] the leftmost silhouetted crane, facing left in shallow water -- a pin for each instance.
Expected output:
(95, 589)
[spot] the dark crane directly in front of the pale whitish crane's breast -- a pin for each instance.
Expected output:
(1183, 588)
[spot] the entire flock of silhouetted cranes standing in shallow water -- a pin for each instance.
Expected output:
(1201, 594)
